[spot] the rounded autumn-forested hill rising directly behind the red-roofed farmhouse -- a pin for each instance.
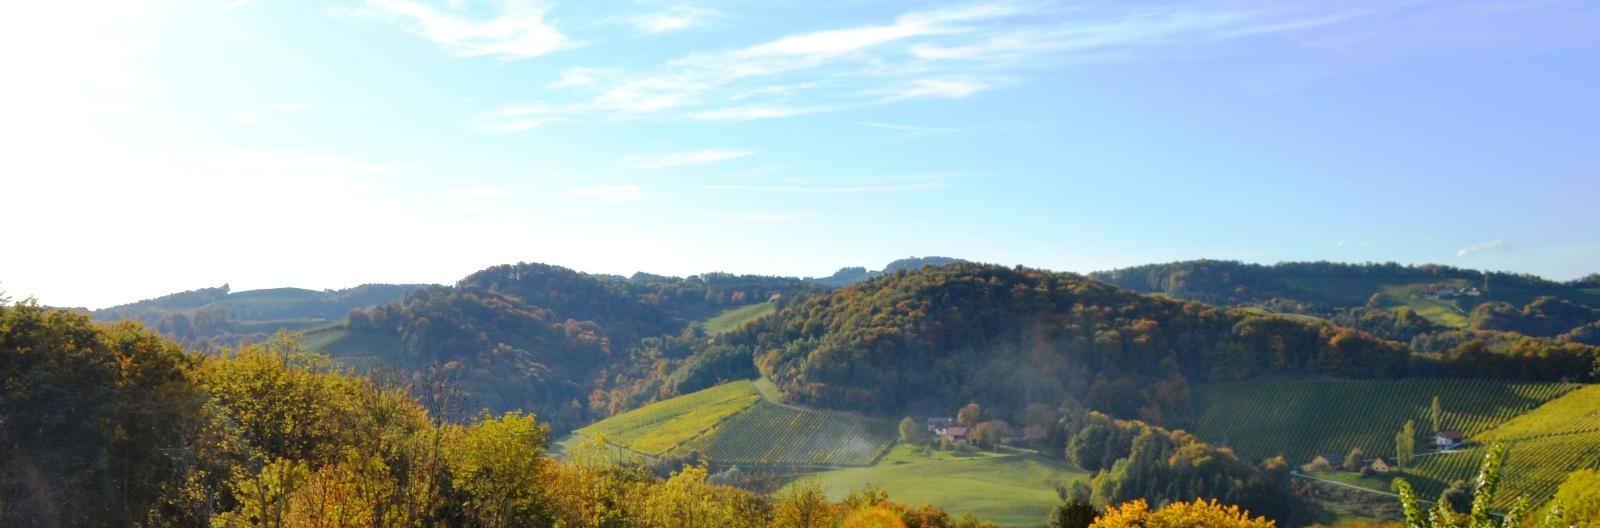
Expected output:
(937, 338)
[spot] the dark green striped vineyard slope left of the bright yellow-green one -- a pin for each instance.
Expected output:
(1302, 420)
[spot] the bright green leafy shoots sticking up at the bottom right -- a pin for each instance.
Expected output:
(1481, 514)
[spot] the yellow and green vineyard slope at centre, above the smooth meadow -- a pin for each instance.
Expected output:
(740, 425)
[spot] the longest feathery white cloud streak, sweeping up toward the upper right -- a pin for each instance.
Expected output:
(926, 55)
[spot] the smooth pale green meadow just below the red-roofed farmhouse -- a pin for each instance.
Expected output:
(1014, 490)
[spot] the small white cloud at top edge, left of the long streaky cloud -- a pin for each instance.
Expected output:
(518, 30)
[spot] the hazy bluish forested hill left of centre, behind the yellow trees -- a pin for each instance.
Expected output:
(570, 346)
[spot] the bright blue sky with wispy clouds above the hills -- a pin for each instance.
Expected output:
(150, 148)
